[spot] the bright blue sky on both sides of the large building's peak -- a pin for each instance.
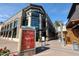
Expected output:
(56, 11)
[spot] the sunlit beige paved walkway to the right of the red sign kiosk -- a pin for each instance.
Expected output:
(56, 49)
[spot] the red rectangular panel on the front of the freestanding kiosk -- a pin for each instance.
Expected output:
(28, 39)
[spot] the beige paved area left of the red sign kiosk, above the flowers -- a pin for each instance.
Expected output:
(11, 45)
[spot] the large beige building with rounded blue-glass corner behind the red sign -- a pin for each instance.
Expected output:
(31, 16)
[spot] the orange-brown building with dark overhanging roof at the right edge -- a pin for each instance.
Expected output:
(73, 24)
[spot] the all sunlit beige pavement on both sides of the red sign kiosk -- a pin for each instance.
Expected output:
(53, 48)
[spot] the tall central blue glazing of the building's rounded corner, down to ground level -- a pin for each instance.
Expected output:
(35, 22)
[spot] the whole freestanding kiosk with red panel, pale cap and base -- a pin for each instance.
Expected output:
(28, 41)
